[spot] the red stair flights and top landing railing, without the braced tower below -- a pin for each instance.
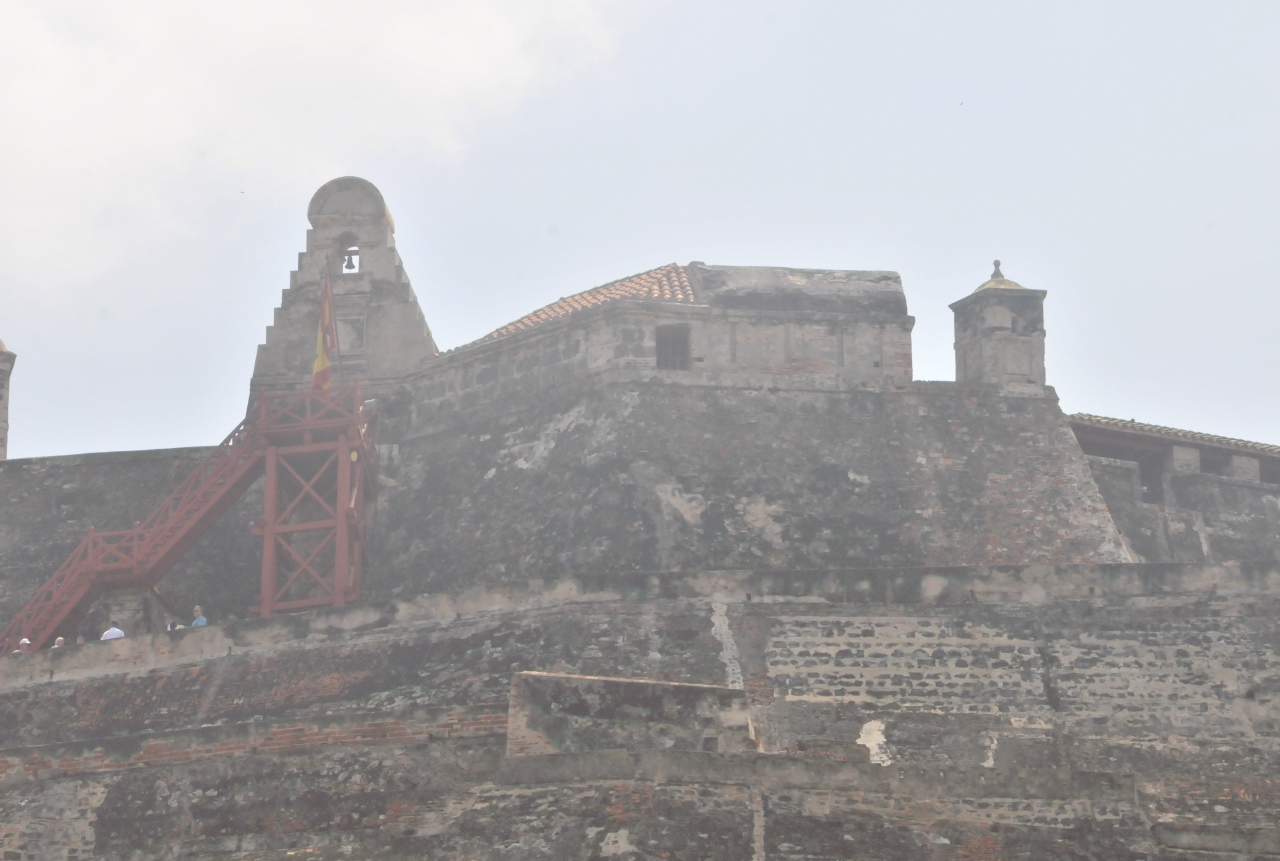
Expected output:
(143, 556)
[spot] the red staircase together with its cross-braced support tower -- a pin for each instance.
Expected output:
(318, 455)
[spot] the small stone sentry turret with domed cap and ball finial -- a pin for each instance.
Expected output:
(1000, 337)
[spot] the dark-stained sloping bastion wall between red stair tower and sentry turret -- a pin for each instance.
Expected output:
(652, 477)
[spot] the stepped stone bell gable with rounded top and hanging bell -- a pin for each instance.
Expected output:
(382, 332)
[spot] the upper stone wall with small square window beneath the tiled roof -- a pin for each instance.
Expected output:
(740, 349)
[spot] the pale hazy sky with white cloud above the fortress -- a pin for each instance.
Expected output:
(157, 162)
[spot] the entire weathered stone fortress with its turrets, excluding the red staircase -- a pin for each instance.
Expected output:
(766, 598)
